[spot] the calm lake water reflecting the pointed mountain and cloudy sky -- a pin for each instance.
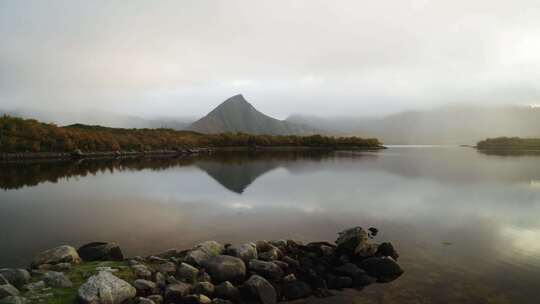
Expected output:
(466, 224)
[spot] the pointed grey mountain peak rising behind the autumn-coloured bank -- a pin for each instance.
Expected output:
(236, 114)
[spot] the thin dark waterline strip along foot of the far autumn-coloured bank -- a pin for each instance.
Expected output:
(77, 154)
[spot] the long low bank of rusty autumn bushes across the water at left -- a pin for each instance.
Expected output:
(28, 135)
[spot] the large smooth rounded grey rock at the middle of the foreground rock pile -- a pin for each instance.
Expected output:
(225, 268)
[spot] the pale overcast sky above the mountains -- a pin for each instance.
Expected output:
(326, 58)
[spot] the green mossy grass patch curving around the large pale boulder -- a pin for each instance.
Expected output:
(78, 274)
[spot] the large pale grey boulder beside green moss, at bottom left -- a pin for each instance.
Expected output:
(104, 287)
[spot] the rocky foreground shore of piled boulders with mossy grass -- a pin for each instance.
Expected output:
(264, 272)
